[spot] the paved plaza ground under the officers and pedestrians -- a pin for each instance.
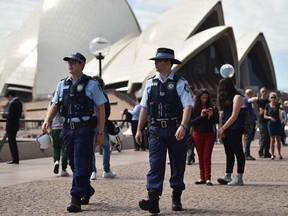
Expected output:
(31, 188)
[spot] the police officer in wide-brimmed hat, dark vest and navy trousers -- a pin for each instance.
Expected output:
(167, 102)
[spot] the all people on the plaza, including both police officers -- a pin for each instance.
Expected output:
(175, 118)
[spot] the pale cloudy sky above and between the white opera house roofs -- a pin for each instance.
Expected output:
(267, 16)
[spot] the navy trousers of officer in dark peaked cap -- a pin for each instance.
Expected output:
(79, 148)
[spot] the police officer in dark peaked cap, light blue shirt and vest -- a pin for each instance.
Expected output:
(76, 98)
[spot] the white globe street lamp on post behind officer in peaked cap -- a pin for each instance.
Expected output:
(99, 47)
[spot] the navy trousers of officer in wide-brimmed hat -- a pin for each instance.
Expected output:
(161, 140)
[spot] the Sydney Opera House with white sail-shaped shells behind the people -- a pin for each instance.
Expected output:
(31, 59)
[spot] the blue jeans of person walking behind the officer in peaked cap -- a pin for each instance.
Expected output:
(106, 153)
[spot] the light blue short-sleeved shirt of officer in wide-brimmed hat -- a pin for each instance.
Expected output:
(182, 90)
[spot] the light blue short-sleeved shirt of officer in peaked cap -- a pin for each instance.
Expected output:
(92, 90)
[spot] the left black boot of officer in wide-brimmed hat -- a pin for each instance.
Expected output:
(152, 203)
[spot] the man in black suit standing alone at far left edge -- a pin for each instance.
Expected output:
(12, 124)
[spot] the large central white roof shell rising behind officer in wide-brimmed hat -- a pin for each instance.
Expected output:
(171, 29)
